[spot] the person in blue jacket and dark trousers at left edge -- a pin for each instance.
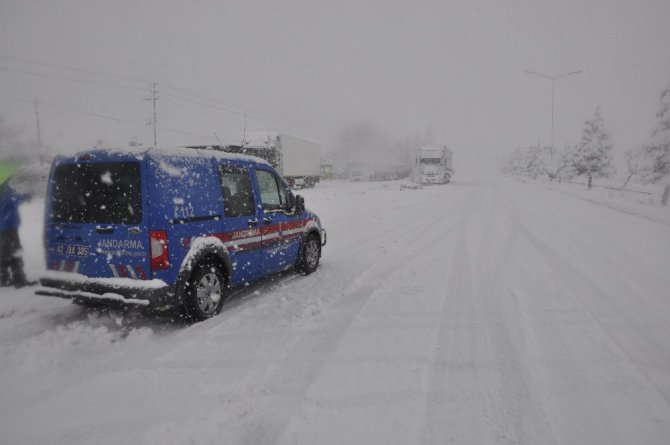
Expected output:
(11, 263)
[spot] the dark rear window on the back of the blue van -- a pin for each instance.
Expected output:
(107, 193)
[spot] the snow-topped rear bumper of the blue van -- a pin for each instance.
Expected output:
(155, 294)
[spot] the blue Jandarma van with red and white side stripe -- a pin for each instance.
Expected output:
(160, 228)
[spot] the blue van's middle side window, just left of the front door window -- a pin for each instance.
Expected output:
(238, 198)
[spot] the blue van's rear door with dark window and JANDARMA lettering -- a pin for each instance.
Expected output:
(97, 221)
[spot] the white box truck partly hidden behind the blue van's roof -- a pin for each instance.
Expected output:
(297, 160)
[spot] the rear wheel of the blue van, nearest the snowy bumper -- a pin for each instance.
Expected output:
(204, 293)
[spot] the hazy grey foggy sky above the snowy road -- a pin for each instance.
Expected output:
(311, 68)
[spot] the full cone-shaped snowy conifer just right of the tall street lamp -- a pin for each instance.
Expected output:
(593, 154)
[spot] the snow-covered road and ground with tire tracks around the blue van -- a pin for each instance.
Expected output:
(477, 312)
